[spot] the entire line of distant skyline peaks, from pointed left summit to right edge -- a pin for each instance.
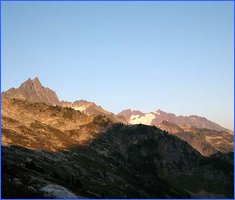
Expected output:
(32, 90)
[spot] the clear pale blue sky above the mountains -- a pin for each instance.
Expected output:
(173, 56)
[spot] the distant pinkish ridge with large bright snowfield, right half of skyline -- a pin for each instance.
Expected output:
(155, 118)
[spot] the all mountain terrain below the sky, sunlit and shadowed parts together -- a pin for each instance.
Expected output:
(59, 149)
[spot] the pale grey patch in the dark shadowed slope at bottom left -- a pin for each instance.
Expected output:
(58, 191)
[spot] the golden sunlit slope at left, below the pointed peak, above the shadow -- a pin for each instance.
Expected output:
(42, 126)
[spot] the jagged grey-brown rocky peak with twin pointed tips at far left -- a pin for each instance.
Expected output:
(32, 90)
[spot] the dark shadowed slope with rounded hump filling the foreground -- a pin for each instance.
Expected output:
(122, 162)
